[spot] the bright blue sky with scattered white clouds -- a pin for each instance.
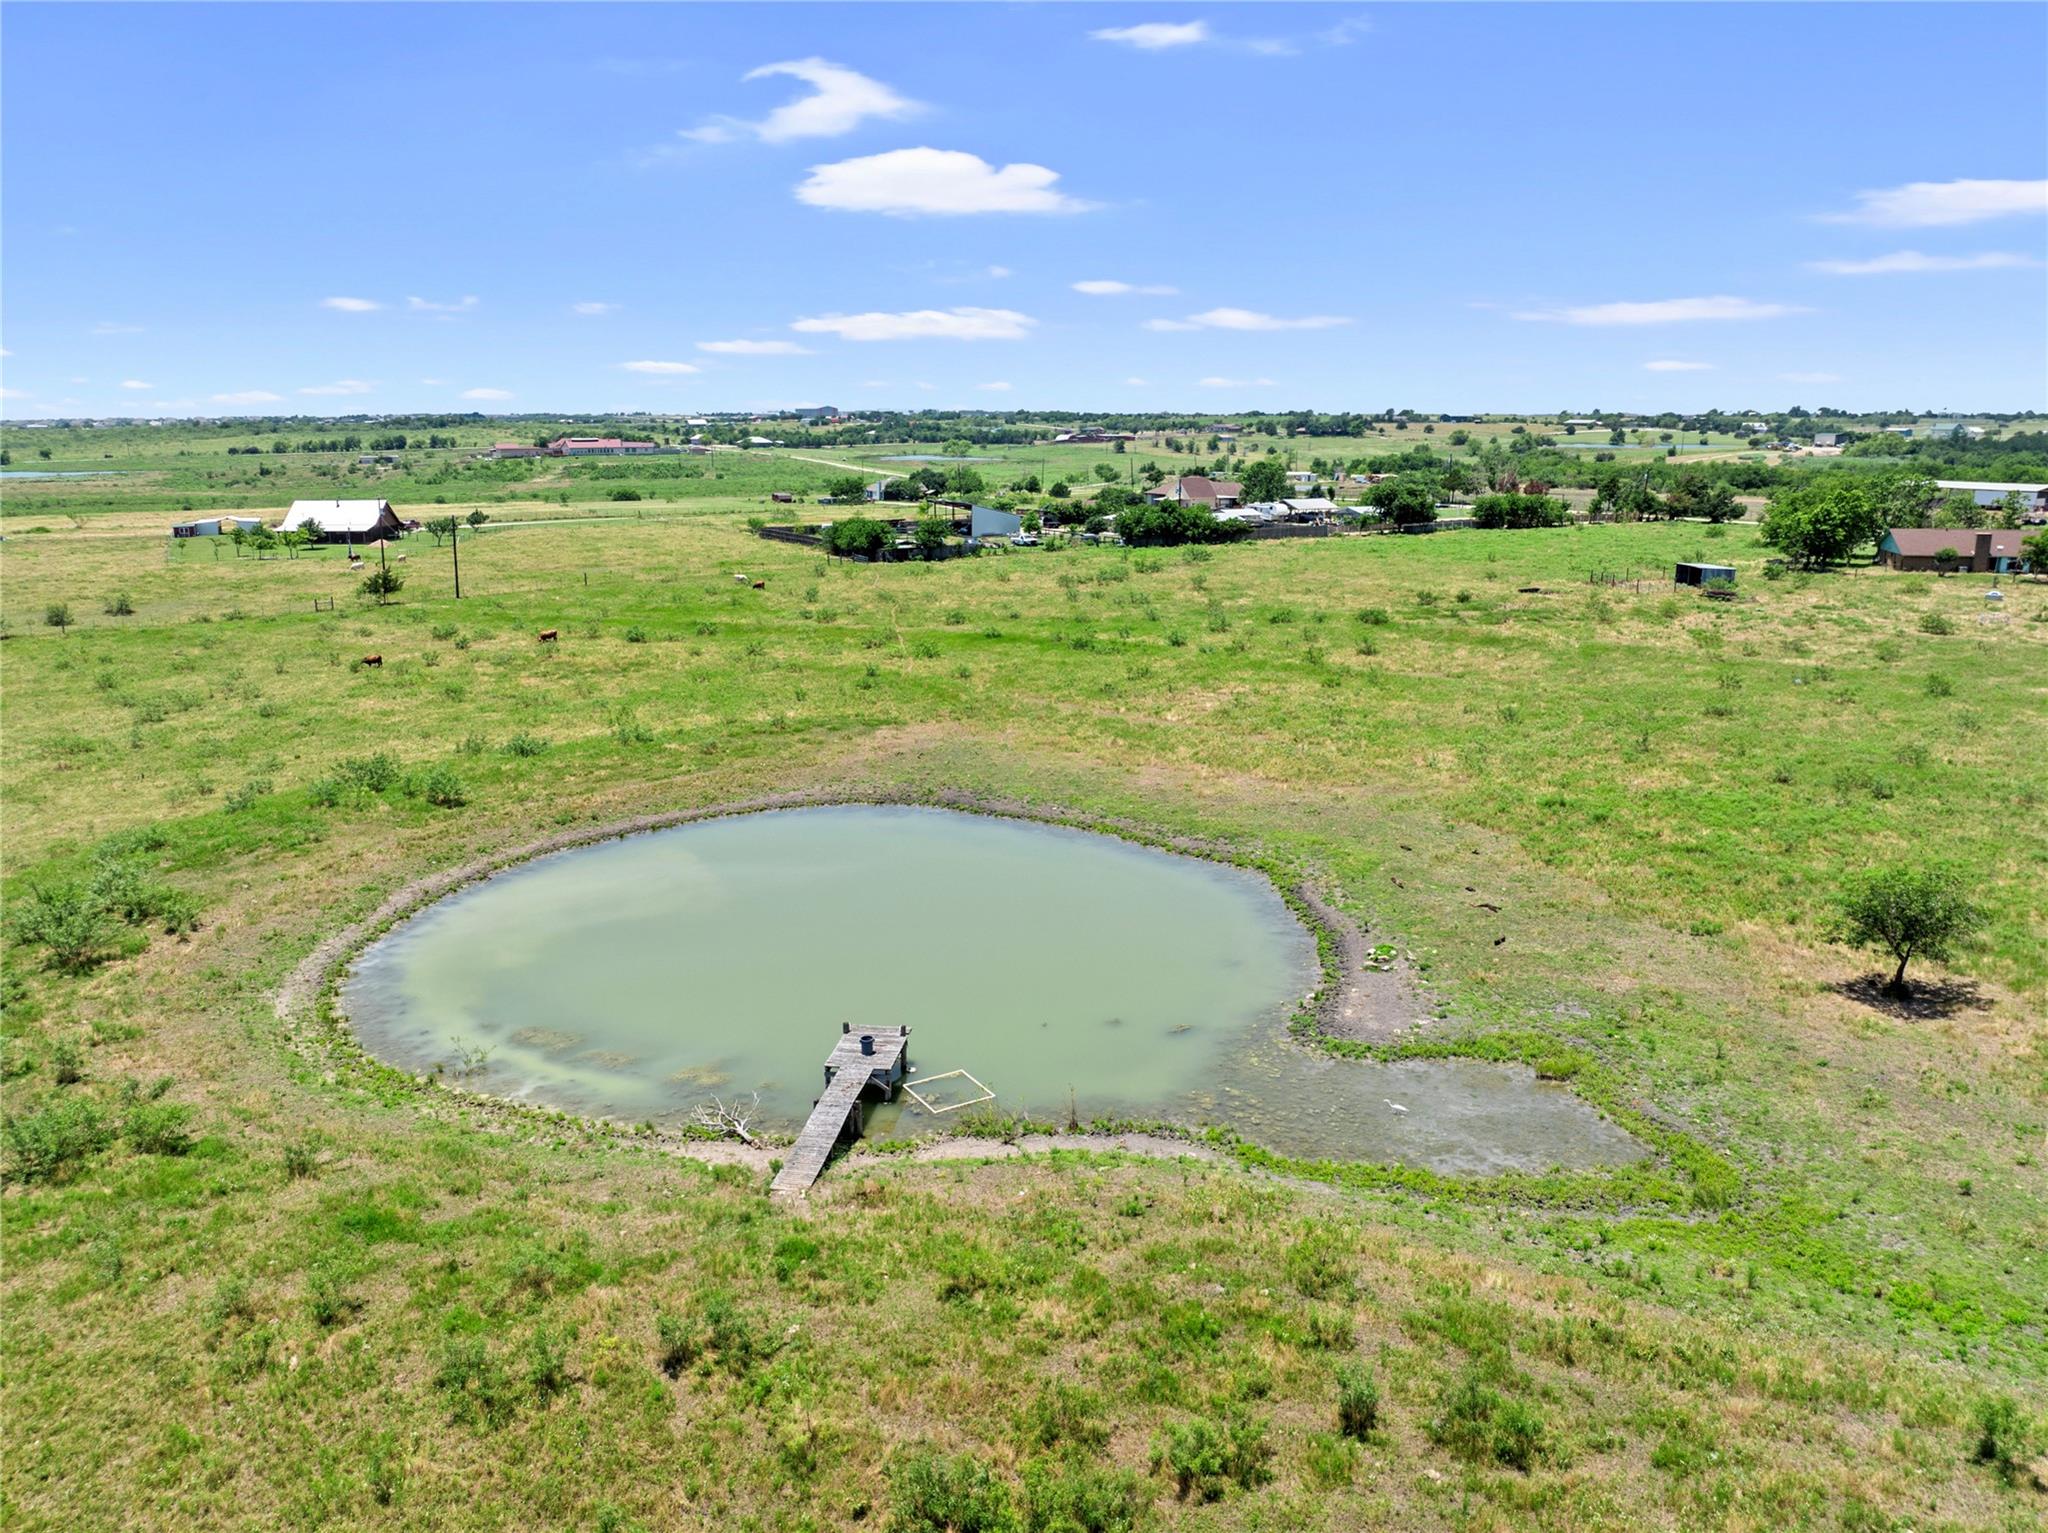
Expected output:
(337, 210)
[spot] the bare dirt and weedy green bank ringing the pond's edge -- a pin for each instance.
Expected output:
(316, 1026)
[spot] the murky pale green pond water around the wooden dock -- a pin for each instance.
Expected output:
(636, 979)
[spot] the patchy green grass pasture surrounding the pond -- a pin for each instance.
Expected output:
(257, 1282)
